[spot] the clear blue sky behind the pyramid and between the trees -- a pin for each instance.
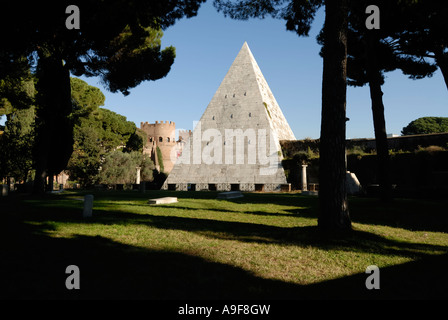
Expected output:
(206, 46)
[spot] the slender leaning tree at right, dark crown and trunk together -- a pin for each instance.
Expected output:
(372, 53)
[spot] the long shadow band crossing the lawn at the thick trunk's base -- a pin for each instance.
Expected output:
(248, 232)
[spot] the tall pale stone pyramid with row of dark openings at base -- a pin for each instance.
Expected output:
(235, 145)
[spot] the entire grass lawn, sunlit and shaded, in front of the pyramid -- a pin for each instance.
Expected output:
(259, 246)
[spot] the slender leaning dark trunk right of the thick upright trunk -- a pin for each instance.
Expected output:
(379, 122)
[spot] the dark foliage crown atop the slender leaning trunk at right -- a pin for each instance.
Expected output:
(376, 48)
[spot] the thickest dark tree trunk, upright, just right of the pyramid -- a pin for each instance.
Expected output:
(333, 209)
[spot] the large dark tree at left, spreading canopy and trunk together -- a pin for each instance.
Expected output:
(118, 41)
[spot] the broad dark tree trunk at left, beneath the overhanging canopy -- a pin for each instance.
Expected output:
(54, 129)
